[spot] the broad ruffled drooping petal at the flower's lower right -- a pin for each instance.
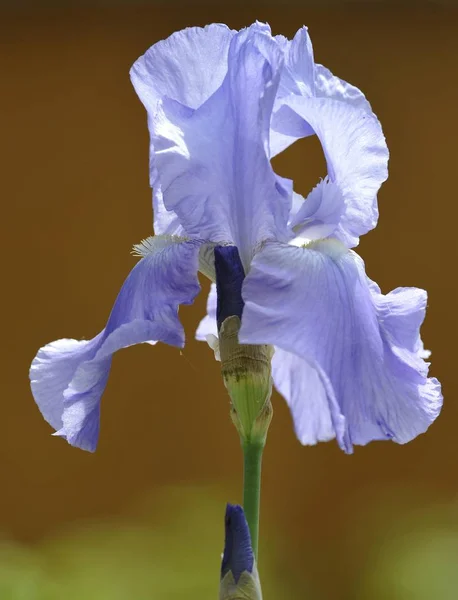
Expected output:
(317, 303)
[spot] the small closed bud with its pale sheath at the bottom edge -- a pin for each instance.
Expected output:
(239, 576)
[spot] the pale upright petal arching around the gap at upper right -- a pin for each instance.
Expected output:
(311, 100)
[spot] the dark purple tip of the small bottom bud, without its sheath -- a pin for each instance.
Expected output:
(238, 554)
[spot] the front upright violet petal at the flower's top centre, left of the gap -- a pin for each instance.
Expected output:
(213, 160)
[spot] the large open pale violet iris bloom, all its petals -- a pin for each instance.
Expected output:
(348, 359)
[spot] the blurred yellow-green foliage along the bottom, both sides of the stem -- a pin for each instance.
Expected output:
(174, 552)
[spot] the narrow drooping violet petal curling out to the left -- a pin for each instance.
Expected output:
(68, 377)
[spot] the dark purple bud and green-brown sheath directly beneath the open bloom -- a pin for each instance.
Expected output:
(246, 368)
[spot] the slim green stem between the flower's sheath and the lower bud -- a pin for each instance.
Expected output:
(252, 455)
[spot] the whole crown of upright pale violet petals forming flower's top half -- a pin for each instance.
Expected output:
(210, 93)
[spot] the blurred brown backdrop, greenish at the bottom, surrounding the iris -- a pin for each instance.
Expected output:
(382, 523)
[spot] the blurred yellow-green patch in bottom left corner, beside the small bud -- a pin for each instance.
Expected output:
(173, 552)
